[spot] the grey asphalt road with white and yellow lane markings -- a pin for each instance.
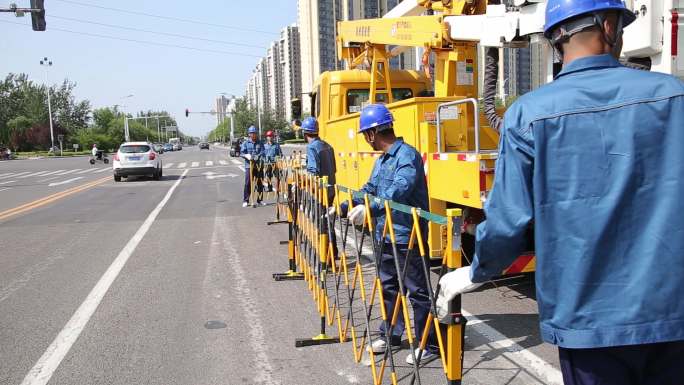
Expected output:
(122, 283)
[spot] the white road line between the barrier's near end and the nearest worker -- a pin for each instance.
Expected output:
(514, 352)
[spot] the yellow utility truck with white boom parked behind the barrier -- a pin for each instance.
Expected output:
(439, 111)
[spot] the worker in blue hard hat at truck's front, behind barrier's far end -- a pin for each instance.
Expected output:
(320, 161)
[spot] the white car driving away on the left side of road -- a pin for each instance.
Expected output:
(136, 158)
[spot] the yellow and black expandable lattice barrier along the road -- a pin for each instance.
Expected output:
(339, 263)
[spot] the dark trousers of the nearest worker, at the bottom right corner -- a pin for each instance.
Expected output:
(649, 364)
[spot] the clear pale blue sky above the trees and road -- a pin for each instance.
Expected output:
(160, 77)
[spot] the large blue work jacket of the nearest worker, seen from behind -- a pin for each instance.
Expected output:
(595, 159)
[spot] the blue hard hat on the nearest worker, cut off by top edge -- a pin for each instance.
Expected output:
(558, 11)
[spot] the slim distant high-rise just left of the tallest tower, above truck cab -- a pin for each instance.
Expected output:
(291, 68)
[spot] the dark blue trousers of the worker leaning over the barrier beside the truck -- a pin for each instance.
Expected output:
(417, 288)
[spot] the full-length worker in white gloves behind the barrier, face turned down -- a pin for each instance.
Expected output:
(398, 175)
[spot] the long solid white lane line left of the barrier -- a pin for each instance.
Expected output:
(43, 370)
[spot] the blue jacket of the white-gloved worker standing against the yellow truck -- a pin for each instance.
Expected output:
(398, 175)
